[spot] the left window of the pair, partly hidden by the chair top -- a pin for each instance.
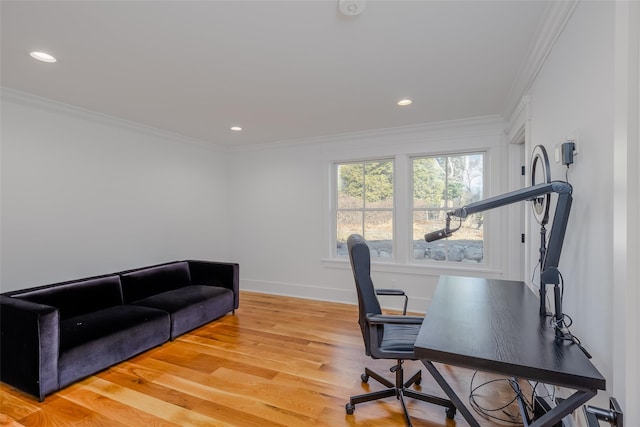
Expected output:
(365, 205)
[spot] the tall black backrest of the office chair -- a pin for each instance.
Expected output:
(361, 266)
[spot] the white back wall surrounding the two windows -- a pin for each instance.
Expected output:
(280, 210)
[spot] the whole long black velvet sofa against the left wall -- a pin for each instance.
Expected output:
(54, 335)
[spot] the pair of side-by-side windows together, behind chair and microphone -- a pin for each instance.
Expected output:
(394, 202)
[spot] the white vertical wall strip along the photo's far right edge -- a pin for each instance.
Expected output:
(626, 204)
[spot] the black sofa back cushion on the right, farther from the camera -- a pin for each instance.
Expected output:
(145, 282)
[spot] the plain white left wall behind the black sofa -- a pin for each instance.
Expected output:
(86, 195)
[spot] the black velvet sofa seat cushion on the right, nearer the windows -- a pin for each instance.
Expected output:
(191, 306)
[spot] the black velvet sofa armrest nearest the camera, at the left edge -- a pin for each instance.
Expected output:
(29, 345)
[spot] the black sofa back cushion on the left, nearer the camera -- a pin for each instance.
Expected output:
(77, 297)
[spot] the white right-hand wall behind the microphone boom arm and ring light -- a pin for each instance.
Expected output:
(574, 93)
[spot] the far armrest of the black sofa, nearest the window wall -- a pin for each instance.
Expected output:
(222, 274)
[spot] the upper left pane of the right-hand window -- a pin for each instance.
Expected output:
(428, 183)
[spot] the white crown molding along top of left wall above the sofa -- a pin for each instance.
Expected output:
(31, 100)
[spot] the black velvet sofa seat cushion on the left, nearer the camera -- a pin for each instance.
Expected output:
(95, 341)
